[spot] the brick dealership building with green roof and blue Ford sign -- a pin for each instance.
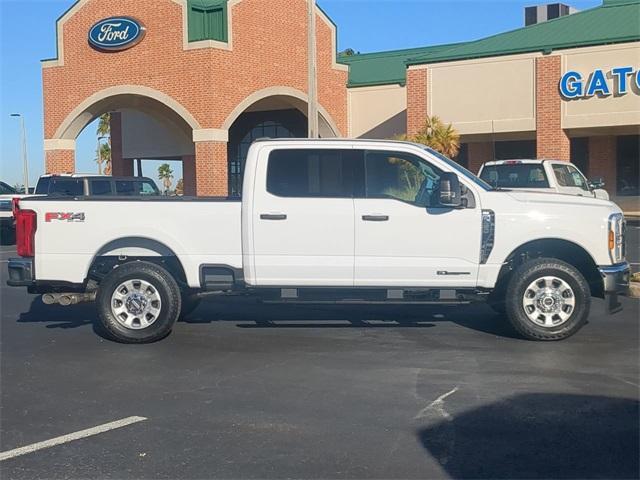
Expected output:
(206, 77)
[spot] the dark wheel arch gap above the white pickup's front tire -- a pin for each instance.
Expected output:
(558, 248)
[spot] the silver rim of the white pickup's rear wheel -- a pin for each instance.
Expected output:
(136, 304)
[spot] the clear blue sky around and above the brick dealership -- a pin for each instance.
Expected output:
(27, 35)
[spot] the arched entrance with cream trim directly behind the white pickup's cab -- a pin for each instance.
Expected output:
(279, 112)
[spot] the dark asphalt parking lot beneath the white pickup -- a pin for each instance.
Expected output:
(241, 391)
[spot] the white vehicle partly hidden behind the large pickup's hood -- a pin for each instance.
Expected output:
(541, 175)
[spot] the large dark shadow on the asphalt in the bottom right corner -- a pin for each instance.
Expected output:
(540, 436)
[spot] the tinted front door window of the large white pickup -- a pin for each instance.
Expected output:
(402, 177)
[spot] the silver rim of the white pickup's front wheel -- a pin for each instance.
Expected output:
(549, 301)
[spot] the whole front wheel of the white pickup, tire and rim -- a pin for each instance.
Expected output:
(547, 299)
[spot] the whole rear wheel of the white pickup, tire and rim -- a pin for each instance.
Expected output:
(138, 302)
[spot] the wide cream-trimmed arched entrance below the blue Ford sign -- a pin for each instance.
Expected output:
(145, 125)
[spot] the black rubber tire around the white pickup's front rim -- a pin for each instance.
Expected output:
(524, 276)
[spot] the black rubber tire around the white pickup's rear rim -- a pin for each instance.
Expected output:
(163, 285)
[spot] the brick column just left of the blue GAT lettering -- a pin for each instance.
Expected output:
(552, 141)
